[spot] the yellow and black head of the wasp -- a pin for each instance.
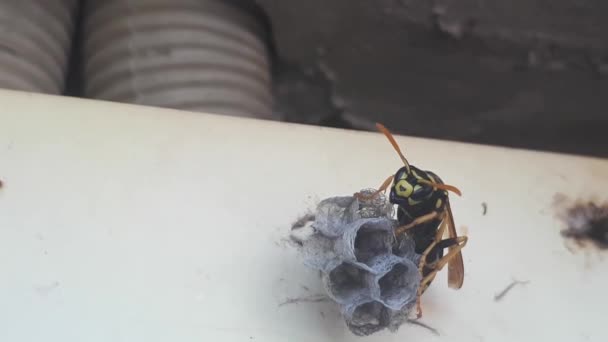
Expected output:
(412, 188)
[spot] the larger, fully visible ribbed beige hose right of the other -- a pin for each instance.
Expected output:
(199, 55)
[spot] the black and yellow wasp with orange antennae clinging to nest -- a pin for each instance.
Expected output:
(424, 212)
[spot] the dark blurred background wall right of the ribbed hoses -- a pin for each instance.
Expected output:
(521, 73)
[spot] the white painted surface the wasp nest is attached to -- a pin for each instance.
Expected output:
(125, 223)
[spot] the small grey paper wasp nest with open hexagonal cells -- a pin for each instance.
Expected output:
(365, 269)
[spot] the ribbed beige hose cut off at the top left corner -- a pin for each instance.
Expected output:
(35, 43)
